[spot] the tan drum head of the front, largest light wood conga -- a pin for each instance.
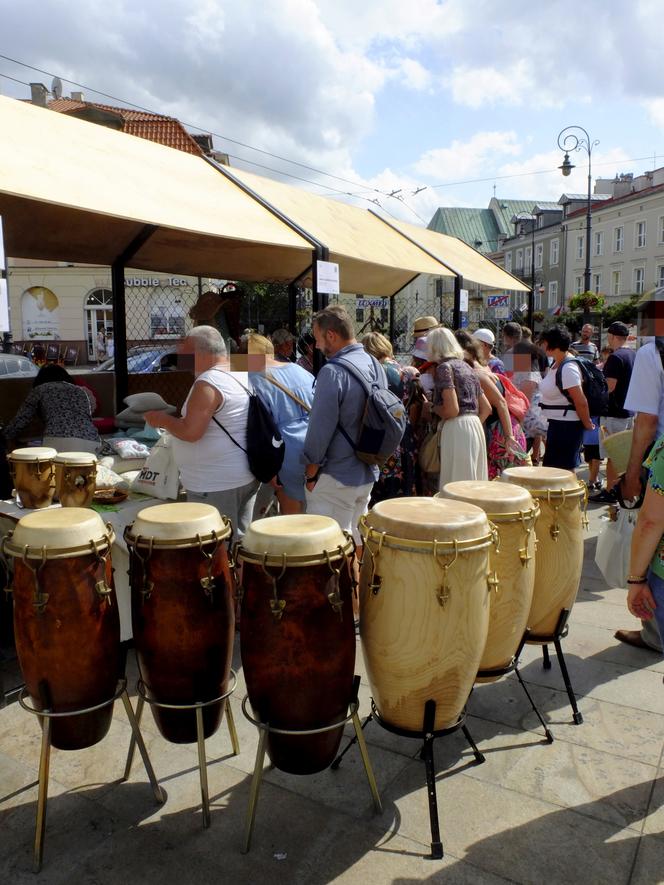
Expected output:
(428, 519)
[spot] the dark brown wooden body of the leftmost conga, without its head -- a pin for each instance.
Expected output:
(70, 651)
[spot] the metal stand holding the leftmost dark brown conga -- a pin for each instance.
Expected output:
(45, 716)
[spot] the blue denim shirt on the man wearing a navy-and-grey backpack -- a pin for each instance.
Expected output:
(340, 399)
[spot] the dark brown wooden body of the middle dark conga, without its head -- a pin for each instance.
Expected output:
(183, 636)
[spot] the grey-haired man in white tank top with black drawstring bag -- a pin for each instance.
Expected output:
(213, 468)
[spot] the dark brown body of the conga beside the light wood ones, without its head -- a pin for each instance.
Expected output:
(299, 669)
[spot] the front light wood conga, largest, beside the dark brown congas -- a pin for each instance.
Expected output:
(424, 606)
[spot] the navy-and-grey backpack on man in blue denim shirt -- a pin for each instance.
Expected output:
(383, 421)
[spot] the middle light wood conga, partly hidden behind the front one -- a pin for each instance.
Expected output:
(513, 512)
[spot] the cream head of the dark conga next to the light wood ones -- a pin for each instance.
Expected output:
(301, 535)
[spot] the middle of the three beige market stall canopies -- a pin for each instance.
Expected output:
(373, 258)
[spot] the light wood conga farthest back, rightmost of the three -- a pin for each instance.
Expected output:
(559, 532)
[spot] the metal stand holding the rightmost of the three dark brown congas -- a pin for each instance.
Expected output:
(264, 729)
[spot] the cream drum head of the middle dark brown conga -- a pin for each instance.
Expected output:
(182, 521)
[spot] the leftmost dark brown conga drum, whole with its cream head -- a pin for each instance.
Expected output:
(66, 619)
